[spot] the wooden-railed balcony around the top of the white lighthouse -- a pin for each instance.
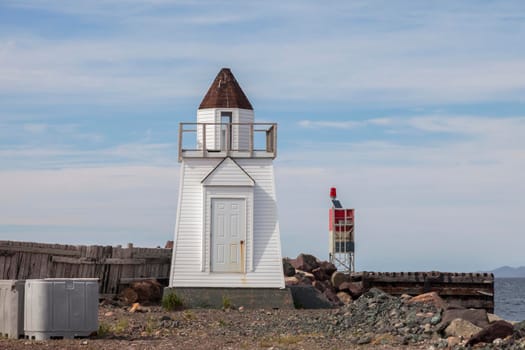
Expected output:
(219, 140)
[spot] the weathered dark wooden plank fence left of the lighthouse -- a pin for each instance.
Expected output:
(113, 266)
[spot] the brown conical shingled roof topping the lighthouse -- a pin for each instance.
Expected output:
(225, 92)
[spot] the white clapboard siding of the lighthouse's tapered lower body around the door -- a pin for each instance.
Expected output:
(190, 263)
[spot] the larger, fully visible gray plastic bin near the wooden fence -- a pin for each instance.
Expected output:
(60, 308)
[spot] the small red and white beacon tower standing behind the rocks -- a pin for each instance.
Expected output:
(341, 231)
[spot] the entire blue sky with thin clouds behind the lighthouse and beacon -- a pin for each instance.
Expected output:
(414, 110)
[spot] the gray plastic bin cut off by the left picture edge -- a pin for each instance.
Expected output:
(12, 308)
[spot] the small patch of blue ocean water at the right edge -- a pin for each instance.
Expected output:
(509, 298)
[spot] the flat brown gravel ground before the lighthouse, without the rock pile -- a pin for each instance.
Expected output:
(213, 329)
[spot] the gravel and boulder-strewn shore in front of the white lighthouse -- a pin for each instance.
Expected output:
(353, 318)
